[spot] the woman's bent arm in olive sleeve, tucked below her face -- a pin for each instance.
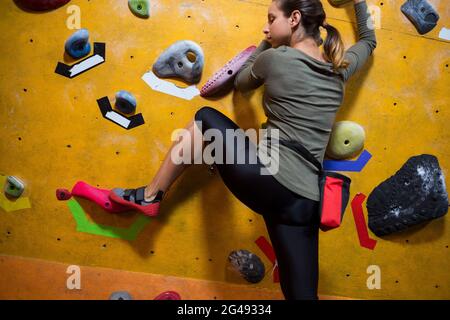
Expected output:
(247, 79)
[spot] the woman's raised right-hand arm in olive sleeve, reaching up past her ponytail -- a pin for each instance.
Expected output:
(361, 50)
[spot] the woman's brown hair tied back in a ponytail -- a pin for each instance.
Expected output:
(313, 16)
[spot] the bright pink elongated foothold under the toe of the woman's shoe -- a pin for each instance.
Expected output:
(99, 196)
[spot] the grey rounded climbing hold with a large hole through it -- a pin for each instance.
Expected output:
(176, 62)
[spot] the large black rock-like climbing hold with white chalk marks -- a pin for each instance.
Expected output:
(415, 194)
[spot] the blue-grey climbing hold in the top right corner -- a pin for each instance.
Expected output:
(422, 15)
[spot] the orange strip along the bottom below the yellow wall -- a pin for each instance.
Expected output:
(25, 278)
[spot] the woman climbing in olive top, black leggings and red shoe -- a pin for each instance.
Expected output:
(304, 88)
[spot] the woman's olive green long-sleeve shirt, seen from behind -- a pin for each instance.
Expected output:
(301, 98)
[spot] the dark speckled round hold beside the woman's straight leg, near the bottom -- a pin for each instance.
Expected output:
(248, 264)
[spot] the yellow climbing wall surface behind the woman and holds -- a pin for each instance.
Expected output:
(52, 135)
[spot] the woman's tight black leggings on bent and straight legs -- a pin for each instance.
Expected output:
(291, 220)
